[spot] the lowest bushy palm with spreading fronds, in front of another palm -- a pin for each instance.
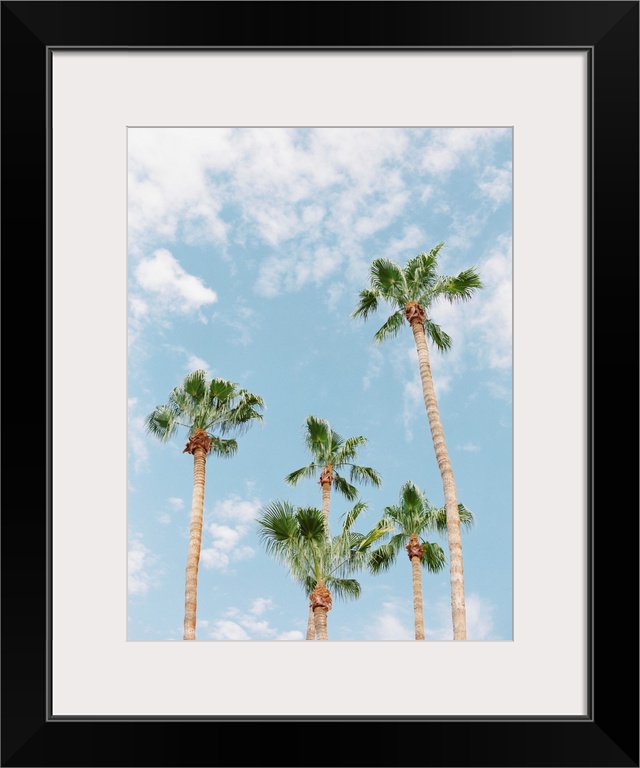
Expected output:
(296, 537)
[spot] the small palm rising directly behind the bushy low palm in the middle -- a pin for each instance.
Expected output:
(331, 452)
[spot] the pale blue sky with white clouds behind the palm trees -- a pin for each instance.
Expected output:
(247, 250)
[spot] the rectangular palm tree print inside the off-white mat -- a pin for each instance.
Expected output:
(320, 384)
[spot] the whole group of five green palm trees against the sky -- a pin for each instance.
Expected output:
(300, 538)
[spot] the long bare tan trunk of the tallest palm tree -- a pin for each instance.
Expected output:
(446, 473)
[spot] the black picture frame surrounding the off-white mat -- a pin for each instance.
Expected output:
(608, 736)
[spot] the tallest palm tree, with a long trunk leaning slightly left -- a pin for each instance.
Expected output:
(411, 291)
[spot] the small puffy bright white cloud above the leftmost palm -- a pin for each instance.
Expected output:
(162, 276)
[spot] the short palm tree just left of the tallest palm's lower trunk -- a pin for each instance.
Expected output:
(410, 519)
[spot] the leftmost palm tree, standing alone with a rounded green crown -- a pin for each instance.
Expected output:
(208, 410)
